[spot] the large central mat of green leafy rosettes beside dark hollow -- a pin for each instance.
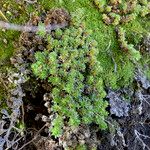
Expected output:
(70, 66)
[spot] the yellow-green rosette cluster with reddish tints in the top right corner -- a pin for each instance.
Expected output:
(119, 11)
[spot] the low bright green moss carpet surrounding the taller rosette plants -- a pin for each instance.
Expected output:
(110, 54)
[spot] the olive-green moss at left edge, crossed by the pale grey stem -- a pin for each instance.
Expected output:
(15, 13)
